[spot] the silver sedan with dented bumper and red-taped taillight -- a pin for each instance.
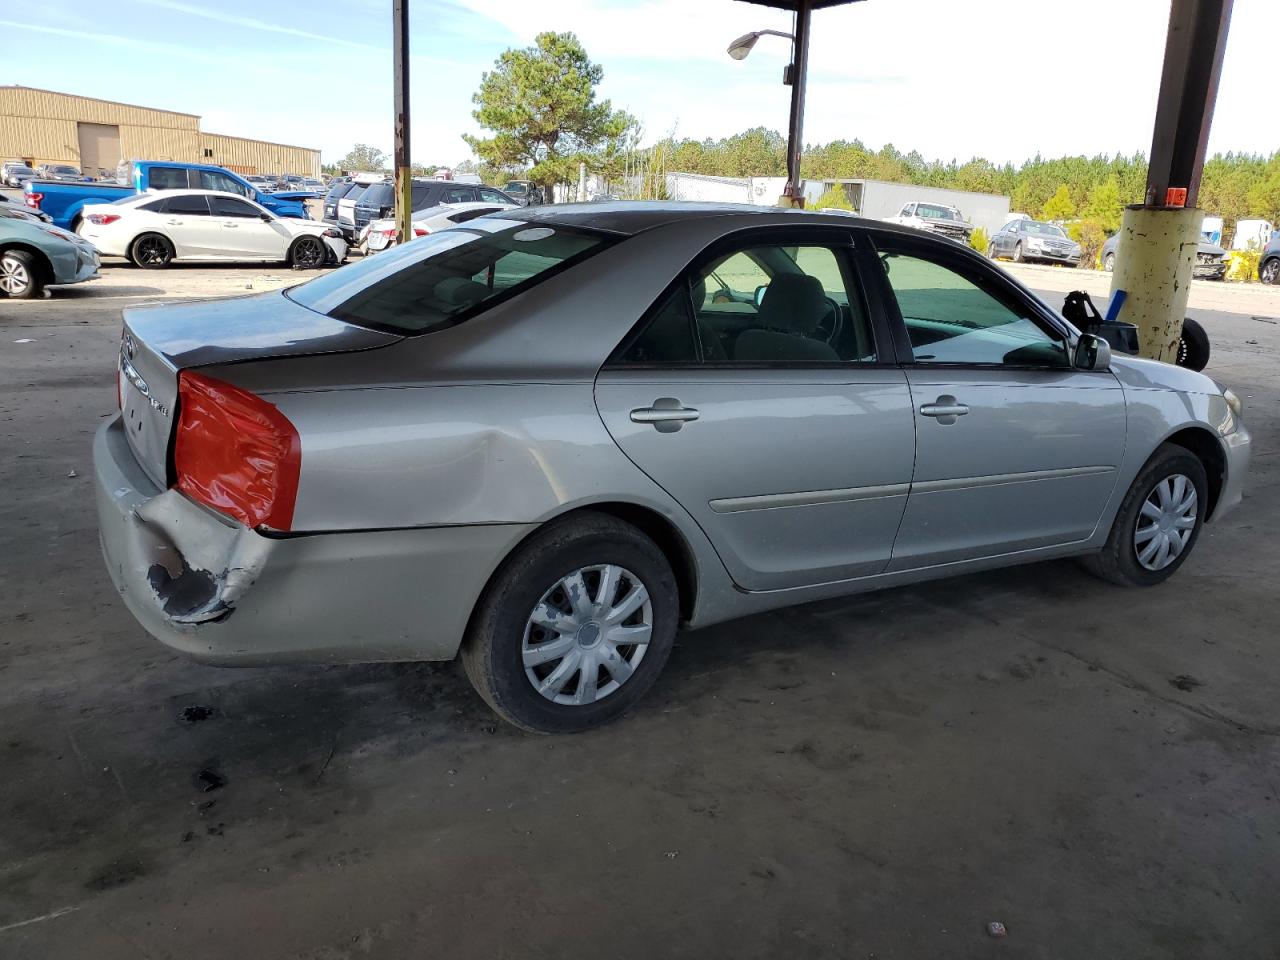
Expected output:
(550, 437)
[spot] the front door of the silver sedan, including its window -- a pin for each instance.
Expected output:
(1016, 450)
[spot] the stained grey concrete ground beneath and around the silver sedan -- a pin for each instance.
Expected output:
(1096, 769)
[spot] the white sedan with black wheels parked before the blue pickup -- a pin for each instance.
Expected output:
(154, 230)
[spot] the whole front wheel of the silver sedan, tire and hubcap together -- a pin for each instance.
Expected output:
(1159, 523)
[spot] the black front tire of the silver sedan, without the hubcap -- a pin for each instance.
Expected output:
(1118, 561)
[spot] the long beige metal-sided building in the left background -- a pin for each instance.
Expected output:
(43, 127)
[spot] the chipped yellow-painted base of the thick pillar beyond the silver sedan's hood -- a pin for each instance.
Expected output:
(1154, 267)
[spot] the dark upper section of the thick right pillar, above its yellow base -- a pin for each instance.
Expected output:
(1185, 111)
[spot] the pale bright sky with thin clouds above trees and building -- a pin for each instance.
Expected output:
(996, 79)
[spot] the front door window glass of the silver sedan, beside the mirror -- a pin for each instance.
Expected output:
(954, 319)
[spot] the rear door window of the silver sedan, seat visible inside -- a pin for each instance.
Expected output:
(765, 305)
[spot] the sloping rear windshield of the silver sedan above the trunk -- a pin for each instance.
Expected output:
(440, 280)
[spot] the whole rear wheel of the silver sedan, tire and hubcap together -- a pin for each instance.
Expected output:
(575, 627)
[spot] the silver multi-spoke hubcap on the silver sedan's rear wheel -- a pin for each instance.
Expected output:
(588, 634)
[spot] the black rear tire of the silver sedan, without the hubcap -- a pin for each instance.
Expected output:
(492, 653)
